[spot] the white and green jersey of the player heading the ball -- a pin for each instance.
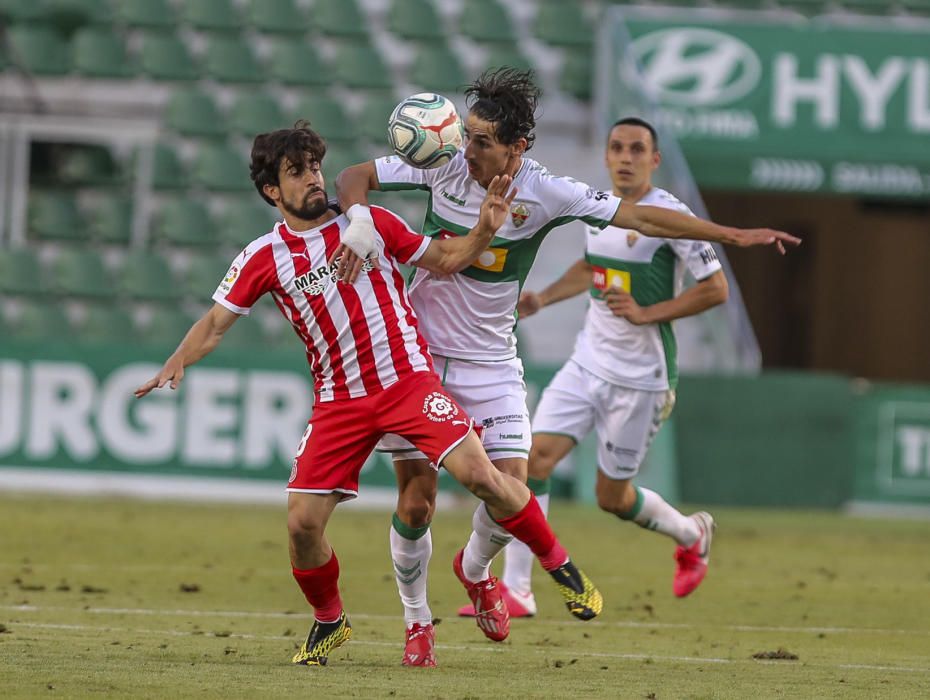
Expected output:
(471, 314)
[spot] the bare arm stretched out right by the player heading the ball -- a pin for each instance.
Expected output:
(665, 223)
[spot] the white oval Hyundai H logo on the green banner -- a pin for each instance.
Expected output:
(694, 67)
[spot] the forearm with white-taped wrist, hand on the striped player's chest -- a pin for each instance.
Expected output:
(358, 239)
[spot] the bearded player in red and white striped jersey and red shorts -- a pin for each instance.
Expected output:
(372, 372)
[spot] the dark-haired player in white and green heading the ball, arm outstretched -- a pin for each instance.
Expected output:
(468, 317)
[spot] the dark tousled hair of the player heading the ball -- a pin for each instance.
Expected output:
(508, 98)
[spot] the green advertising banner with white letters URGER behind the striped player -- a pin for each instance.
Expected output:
(239, 414)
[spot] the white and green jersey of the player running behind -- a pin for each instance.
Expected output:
(639, 357)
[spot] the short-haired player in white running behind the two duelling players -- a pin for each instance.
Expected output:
(621, 378)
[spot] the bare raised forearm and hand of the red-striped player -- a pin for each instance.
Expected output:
(449, 255)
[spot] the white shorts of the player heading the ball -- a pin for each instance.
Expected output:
(493, 394)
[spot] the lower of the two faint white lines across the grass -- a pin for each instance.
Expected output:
(575, 653)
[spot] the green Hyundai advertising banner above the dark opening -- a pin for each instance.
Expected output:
(778, 105)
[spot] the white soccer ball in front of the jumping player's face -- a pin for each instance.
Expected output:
(425, 130)
